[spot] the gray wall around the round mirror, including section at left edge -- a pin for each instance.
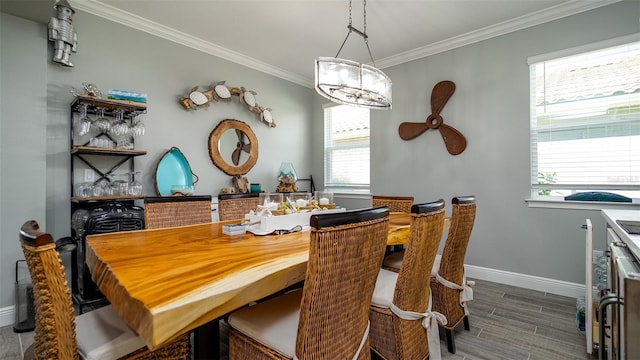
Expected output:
(35, 118)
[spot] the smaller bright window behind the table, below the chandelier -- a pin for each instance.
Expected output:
(346, 148)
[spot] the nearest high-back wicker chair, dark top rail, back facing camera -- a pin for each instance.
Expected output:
(329, 317)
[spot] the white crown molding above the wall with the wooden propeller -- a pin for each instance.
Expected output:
(540, 17)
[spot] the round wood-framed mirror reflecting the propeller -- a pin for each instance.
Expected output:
(233, 147)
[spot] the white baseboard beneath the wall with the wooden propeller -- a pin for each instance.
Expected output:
(552, 286)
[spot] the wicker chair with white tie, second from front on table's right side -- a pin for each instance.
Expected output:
(402, 300)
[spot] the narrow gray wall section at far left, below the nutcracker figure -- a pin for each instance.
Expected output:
(23, 139)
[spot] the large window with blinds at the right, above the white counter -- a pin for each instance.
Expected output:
(585, 121)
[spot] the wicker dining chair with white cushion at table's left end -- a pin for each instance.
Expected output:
(99, 334)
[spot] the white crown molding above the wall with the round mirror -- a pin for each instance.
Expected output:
(111, 13)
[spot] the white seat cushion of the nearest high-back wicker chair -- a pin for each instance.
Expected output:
(273, 323)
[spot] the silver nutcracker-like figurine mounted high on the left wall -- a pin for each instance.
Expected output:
(61, 32)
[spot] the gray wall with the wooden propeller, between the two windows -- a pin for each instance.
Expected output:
(491, 108)
